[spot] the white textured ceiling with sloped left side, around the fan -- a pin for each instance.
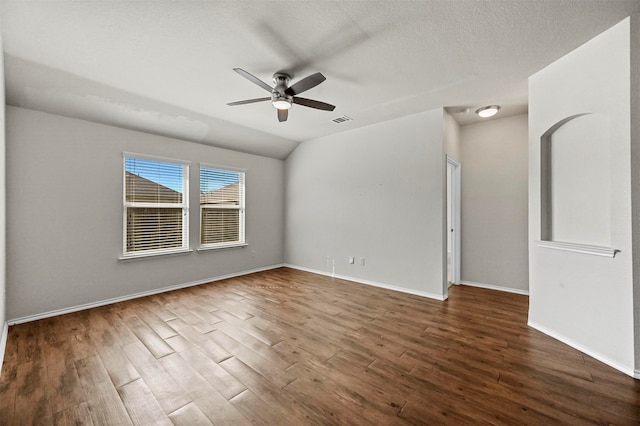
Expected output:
(165, 67)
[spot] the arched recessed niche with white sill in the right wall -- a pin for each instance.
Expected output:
(576, 184)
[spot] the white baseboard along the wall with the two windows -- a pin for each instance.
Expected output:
(77, 308)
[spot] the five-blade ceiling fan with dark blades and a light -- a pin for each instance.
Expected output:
(283, 95)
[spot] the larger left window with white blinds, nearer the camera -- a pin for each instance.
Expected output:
(156, 219)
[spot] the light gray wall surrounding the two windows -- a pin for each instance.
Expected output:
(64, 215)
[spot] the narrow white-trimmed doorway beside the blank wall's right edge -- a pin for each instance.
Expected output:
(453, 223)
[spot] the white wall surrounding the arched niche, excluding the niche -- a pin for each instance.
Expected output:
(582, 299)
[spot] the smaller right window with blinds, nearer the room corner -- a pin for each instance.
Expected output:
(221, 207)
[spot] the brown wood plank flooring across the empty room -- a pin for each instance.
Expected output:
(286, 347)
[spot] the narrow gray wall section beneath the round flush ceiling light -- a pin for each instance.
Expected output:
(495, 204)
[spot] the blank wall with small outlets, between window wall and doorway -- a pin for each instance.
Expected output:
(376, 193)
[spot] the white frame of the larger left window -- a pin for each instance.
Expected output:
(128, 204)
